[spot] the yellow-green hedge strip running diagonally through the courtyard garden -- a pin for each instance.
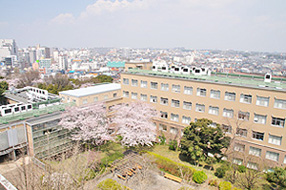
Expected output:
(172, 167)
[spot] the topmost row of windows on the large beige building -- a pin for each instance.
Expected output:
(216, 94)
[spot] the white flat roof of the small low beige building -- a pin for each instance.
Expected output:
(98, 89)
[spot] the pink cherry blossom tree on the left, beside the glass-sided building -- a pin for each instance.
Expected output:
(88, 124)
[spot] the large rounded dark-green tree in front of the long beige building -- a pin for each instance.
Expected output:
(199, 139)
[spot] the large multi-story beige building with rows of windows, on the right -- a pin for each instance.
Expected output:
(249, 109)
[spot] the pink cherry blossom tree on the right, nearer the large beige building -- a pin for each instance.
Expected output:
(134, 123)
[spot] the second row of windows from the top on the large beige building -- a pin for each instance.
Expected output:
(213, 110)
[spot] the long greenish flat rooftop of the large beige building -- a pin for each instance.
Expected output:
(250, 81)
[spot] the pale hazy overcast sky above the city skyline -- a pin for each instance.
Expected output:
(258, 25)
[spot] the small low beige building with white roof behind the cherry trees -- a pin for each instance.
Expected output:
(101, 92)
